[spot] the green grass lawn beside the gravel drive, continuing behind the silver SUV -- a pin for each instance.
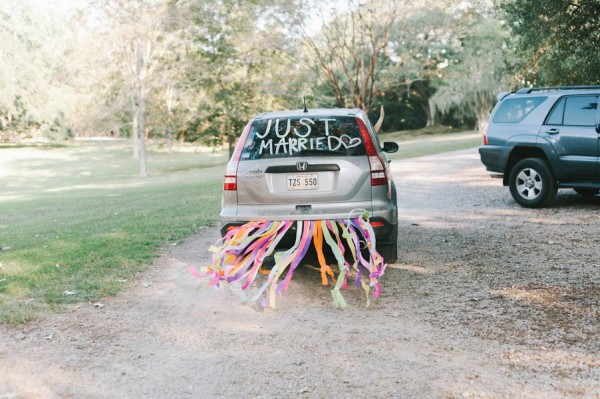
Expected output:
(77, 224)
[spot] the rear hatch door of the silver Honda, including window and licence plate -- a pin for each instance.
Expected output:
(304, 160)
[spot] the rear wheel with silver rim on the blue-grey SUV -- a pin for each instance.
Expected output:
(532, 183)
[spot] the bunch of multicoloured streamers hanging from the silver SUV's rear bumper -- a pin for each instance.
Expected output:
(238, 258)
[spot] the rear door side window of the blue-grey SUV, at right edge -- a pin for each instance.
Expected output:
(574, 111)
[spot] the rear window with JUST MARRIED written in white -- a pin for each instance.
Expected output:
(303, 136)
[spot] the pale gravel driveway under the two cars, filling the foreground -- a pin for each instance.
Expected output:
(488, 300)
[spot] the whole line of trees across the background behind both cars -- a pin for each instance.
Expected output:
(196, 70)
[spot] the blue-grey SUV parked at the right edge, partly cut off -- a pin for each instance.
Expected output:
(542, 139)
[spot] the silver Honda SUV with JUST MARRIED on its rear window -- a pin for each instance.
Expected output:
(312, 165)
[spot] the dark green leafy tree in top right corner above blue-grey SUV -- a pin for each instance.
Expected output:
(557, 41)
